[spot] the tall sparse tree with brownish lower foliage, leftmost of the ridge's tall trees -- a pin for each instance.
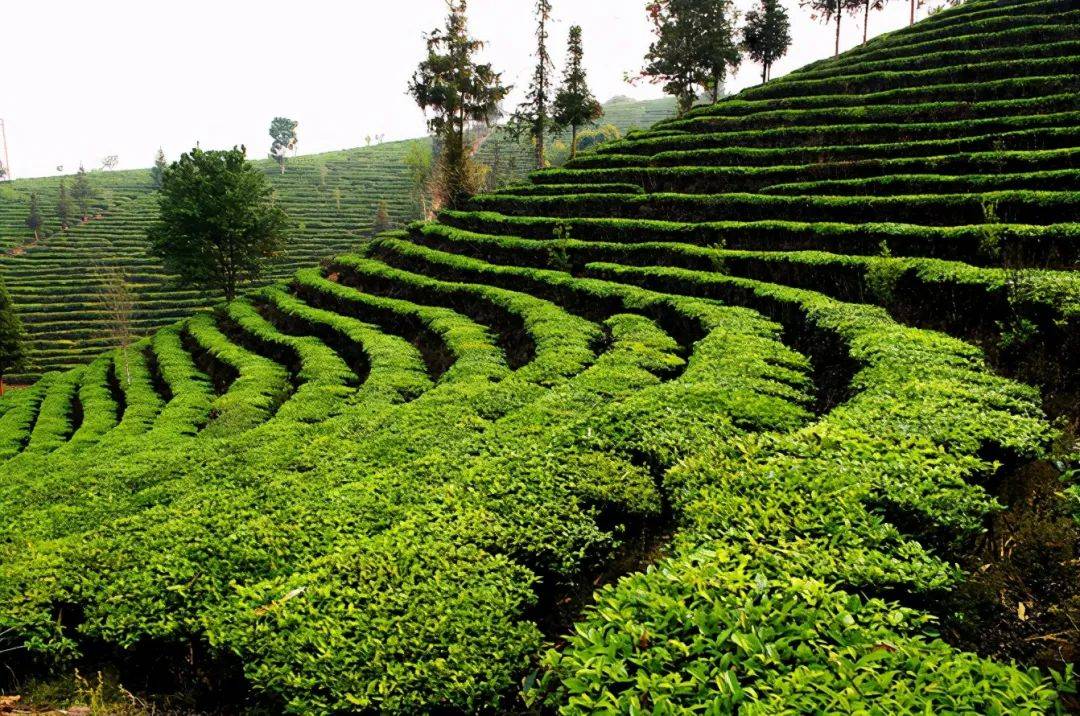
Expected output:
(457, 91)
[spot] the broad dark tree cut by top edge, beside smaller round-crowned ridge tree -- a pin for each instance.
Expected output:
(695, 47)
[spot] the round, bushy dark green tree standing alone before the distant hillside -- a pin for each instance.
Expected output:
(219, 222)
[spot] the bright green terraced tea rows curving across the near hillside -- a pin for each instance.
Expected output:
(751, 376)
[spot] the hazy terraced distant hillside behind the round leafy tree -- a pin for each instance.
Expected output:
(333, 198)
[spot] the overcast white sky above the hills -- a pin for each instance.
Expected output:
(83, 80)
